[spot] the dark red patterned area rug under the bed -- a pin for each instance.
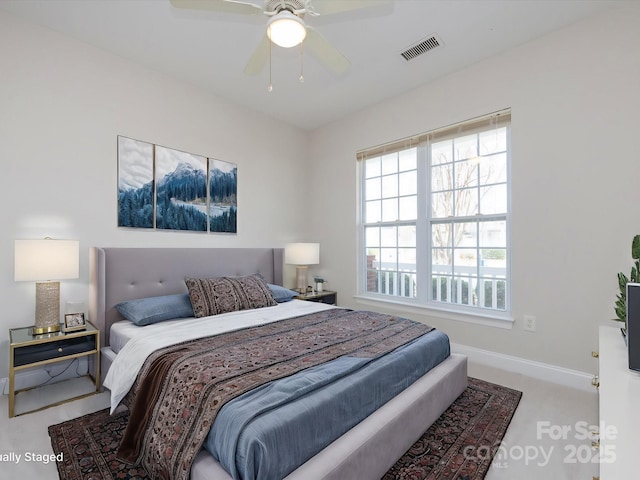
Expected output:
(460, 445)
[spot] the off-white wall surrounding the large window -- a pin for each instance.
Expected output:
(575, 99)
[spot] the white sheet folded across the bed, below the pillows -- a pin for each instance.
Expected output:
(142, 341)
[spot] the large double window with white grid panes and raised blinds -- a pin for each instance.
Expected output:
(435, 218)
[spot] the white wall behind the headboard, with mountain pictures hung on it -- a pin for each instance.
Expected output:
(62, 105)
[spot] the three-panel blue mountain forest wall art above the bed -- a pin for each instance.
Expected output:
(166, 189)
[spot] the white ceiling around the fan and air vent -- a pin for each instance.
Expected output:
(210, 49)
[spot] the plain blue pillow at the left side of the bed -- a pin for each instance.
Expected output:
(146, 311)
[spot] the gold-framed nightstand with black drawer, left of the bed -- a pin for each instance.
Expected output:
(28, 351)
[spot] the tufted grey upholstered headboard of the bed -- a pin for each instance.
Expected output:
(119, 274)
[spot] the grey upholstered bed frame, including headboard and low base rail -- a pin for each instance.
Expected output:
(366, 451)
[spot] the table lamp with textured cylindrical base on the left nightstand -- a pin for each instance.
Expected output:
(45, 262)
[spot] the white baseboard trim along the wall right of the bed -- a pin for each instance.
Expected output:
(529, 368)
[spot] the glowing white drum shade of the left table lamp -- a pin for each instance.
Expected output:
(46, 259)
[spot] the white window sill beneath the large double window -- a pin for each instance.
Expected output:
(497, 320)
